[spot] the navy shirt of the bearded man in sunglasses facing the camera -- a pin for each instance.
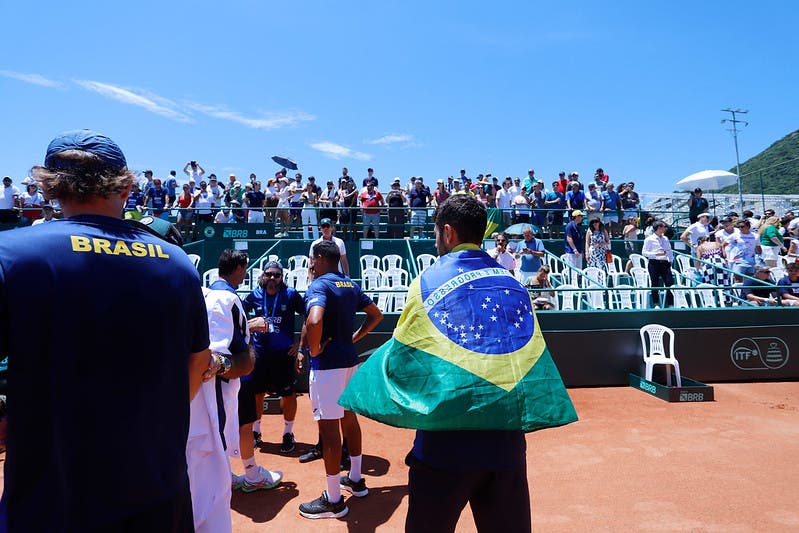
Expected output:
(279, 311)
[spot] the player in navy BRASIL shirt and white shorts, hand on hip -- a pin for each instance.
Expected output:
(331, 302)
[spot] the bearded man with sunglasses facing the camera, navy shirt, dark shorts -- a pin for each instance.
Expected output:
(275, 353)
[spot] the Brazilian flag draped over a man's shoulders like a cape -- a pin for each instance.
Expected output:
(467, 354)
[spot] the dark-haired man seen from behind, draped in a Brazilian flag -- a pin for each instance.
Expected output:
(467, 368)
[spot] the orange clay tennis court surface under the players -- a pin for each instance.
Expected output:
(632, 463)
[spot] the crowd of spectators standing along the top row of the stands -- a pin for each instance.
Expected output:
(295, 204)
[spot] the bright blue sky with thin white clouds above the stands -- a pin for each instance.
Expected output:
(406, 87)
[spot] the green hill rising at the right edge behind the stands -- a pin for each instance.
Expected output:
(779, 166)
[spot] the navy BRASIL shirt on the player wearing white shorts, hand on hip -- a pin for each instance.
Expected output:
(341, 299)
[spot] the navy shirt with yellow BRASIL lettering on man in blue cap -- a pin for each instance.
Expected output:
(97, 357)
